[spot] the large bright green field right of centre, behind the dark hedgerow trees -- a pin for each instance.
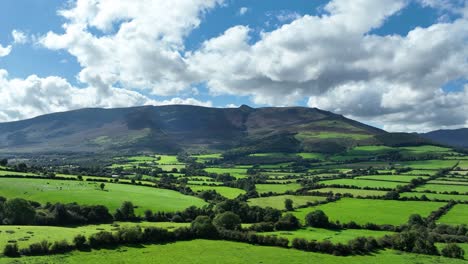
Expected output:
(376, 211)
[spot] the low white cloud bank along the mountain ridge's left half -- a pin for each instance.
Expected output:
(33, 96)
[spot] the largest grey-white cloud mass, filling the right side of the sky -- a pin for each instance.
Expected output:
(334, 60)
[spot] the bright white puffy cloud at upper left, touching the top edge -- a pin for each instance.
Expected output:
(140, 45)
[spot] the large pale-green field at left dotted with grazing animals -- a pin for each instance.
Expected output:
(88, 193)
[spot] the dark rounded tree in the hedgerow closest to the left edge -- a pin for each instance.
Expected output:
(19, 212)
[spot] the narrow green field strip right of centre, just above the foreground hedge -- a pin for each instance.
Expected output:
(334, 236)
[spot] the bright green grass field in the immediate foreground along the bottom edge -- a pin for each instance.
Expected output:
(210, 251)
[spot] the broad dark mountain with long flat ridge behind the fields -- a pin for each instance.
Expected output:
(172, 128)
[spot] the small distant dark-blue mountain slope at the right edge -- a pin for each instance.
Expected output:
(456, 137)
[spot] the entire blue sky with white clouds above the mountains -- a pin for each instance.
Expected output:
(401, 65)
